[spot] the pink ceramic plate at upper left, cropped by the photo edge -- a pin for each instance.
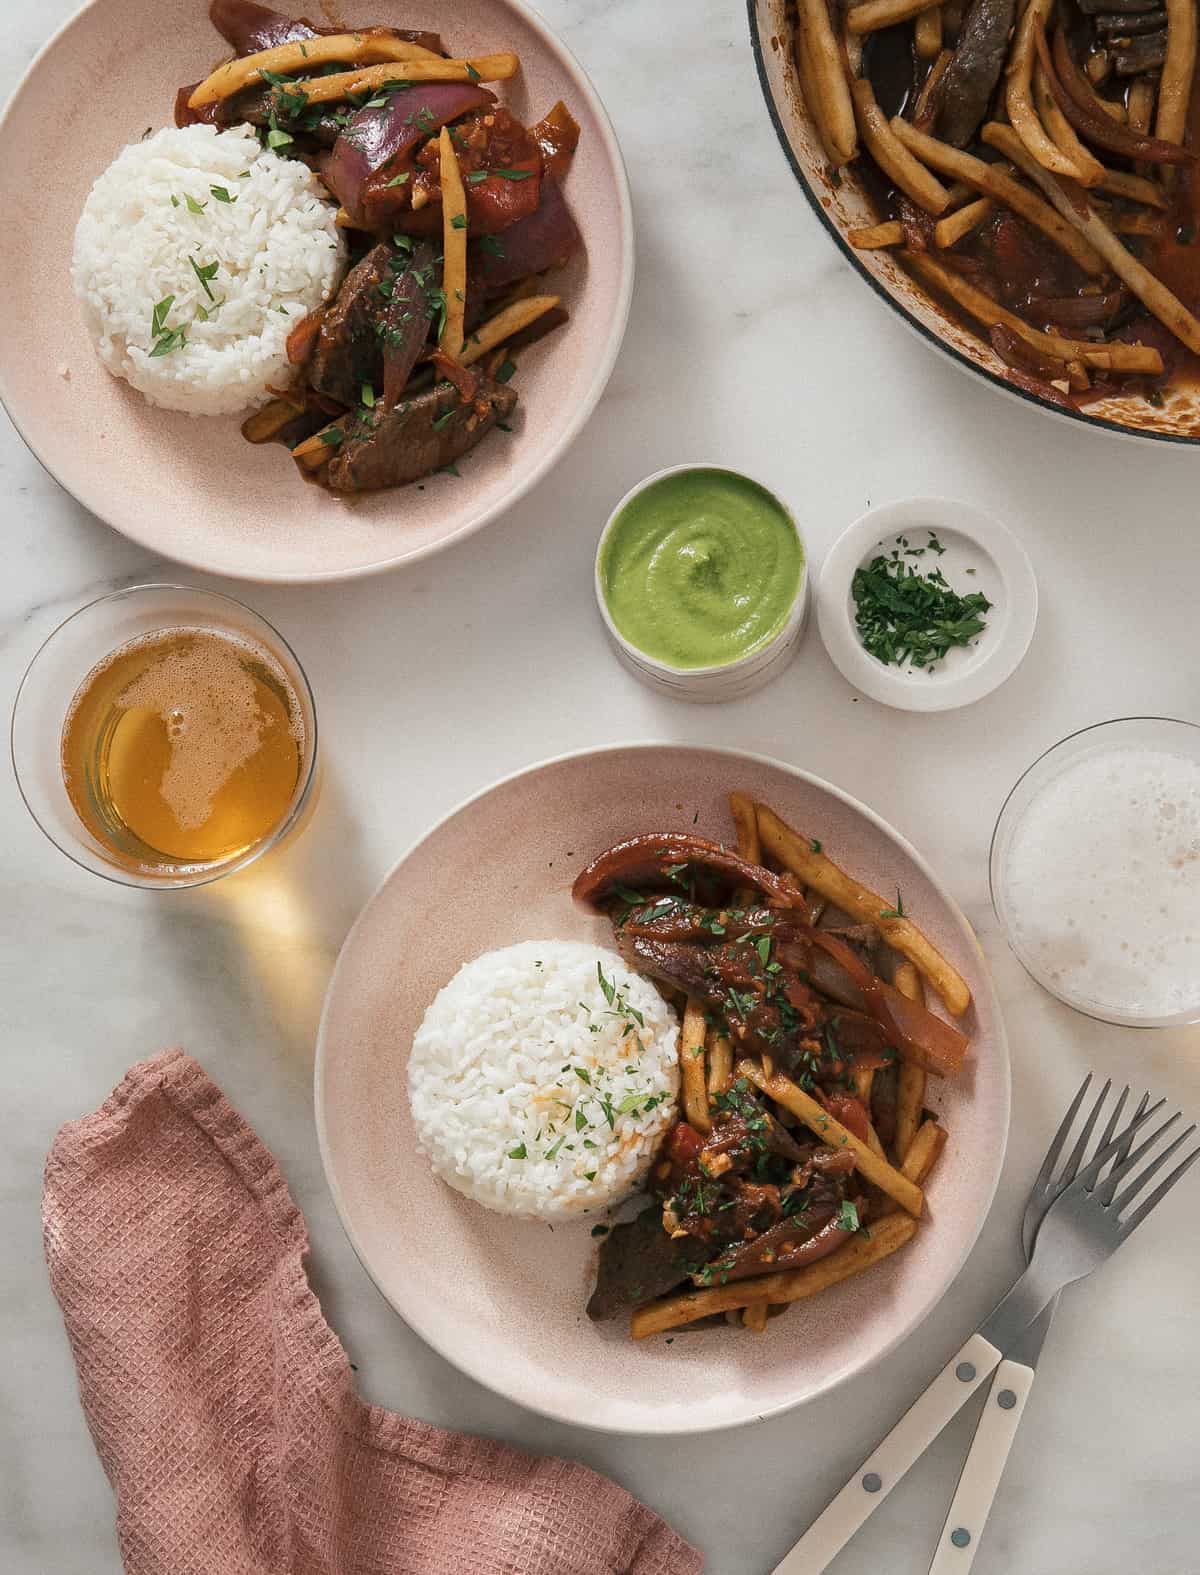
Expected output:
(193, 489)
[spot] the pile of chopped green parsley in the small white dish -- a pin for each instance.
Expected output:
(908, 617)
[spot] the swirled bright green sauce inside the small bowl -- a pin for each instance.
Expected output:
(702, 569)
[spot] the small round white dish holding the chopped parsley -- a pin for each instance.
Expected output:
(972, 541)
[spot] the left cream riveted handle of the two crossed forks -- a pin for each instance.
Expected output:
(906, 1443)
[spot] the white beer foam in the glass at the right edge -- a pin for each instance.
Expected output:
(1102, 883)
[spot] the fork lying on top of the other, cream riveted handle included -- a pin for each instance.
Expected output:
(1075, 1225)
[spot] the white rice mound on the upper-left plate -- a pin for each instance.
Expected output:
(278, 251)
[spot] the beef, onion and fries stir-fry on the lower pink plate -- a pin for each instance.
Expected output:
(804, 1140)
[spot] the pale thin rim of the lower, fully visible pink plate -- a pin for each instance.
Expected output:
(428, 1330)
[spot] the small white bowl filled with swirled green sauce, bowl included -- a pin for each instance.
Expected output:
(703, 582)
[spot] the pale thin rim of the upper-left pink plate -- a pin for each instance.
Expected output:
(509, 500)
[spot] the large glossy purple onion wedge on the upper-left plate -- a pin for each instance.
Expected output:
(379, 138)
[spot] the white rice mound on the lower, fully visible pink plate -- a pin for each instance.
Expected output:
(536, 1094)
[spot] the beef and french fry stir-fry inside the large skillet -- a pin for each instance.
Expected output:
(1032, 166)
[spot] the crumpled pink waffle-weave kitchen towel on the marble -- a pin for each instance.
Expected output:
(221, 1403)
